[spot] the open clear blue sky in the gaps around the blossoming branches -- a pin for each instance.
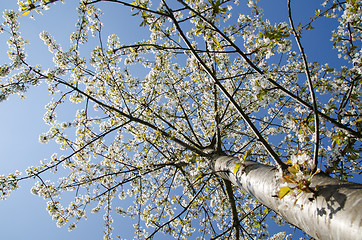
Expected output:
(23, 216)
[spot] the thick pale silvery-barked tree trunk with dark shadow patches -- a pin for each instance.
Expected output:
(334, 212)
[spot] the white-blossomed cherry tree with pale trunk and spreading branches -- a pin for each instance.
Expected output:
(212, 124)
